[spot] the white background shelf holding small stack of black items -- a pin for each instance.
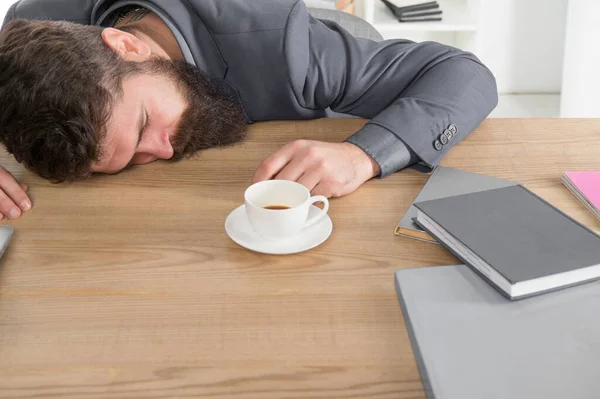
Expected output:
(456, 17)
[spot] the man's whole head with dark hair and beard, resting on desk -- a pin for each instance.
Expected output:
(80, 99)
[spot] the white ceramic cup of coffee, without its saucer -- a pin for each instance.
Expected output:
(278, 224)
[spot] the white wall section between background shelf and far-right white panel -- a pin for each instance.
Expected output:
(522, 41)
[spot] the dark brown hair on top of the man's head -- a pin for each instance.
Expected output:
(58, 82)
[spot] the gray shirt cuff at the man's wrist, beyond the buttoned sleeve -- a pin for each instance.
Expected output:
(387, 149)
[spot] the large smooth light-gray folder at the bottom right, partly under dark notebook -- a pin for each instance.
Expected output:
(472, 343)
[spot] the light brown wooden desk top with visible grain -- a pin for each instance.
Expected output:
(128, 287)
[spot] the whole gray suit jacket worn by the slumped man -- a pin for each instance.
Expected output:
(284, 64)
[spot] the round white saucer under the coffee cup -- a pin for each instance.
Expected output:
(239, 230)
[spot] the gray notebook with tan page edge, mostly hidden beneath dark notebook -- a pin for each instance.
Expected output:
(445, 182)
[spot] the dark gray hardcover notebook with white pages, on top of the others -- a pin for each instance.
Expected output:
(517, 241)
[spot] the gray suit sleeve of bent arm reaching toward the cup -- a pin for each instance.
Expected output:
(424, 96)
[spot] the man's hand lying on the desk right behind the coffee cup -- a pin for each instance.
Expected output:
(329, 169)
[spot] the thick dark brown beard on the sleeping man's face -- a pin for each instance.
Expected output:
(213, 117)
